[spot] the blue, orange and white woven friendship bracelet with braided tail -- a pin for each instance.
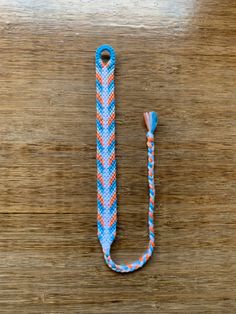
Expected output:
(106, 163)
